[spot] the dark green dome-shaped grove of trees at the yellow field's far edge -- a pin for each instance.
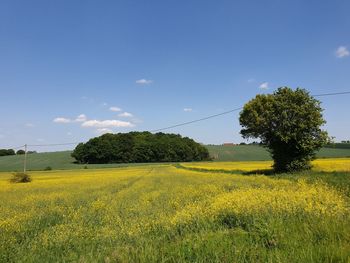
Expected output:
(139, 147)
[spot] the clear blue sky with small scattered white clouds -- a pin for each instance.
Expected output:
(158, 63)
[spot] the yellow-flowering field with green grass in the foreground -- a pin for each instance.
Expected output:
(167, 213)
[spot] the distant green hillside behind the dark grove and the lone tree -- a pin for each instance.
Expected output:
(63, 160)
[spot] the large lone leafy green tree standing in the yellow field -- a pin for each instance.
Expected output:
(288, 122)
